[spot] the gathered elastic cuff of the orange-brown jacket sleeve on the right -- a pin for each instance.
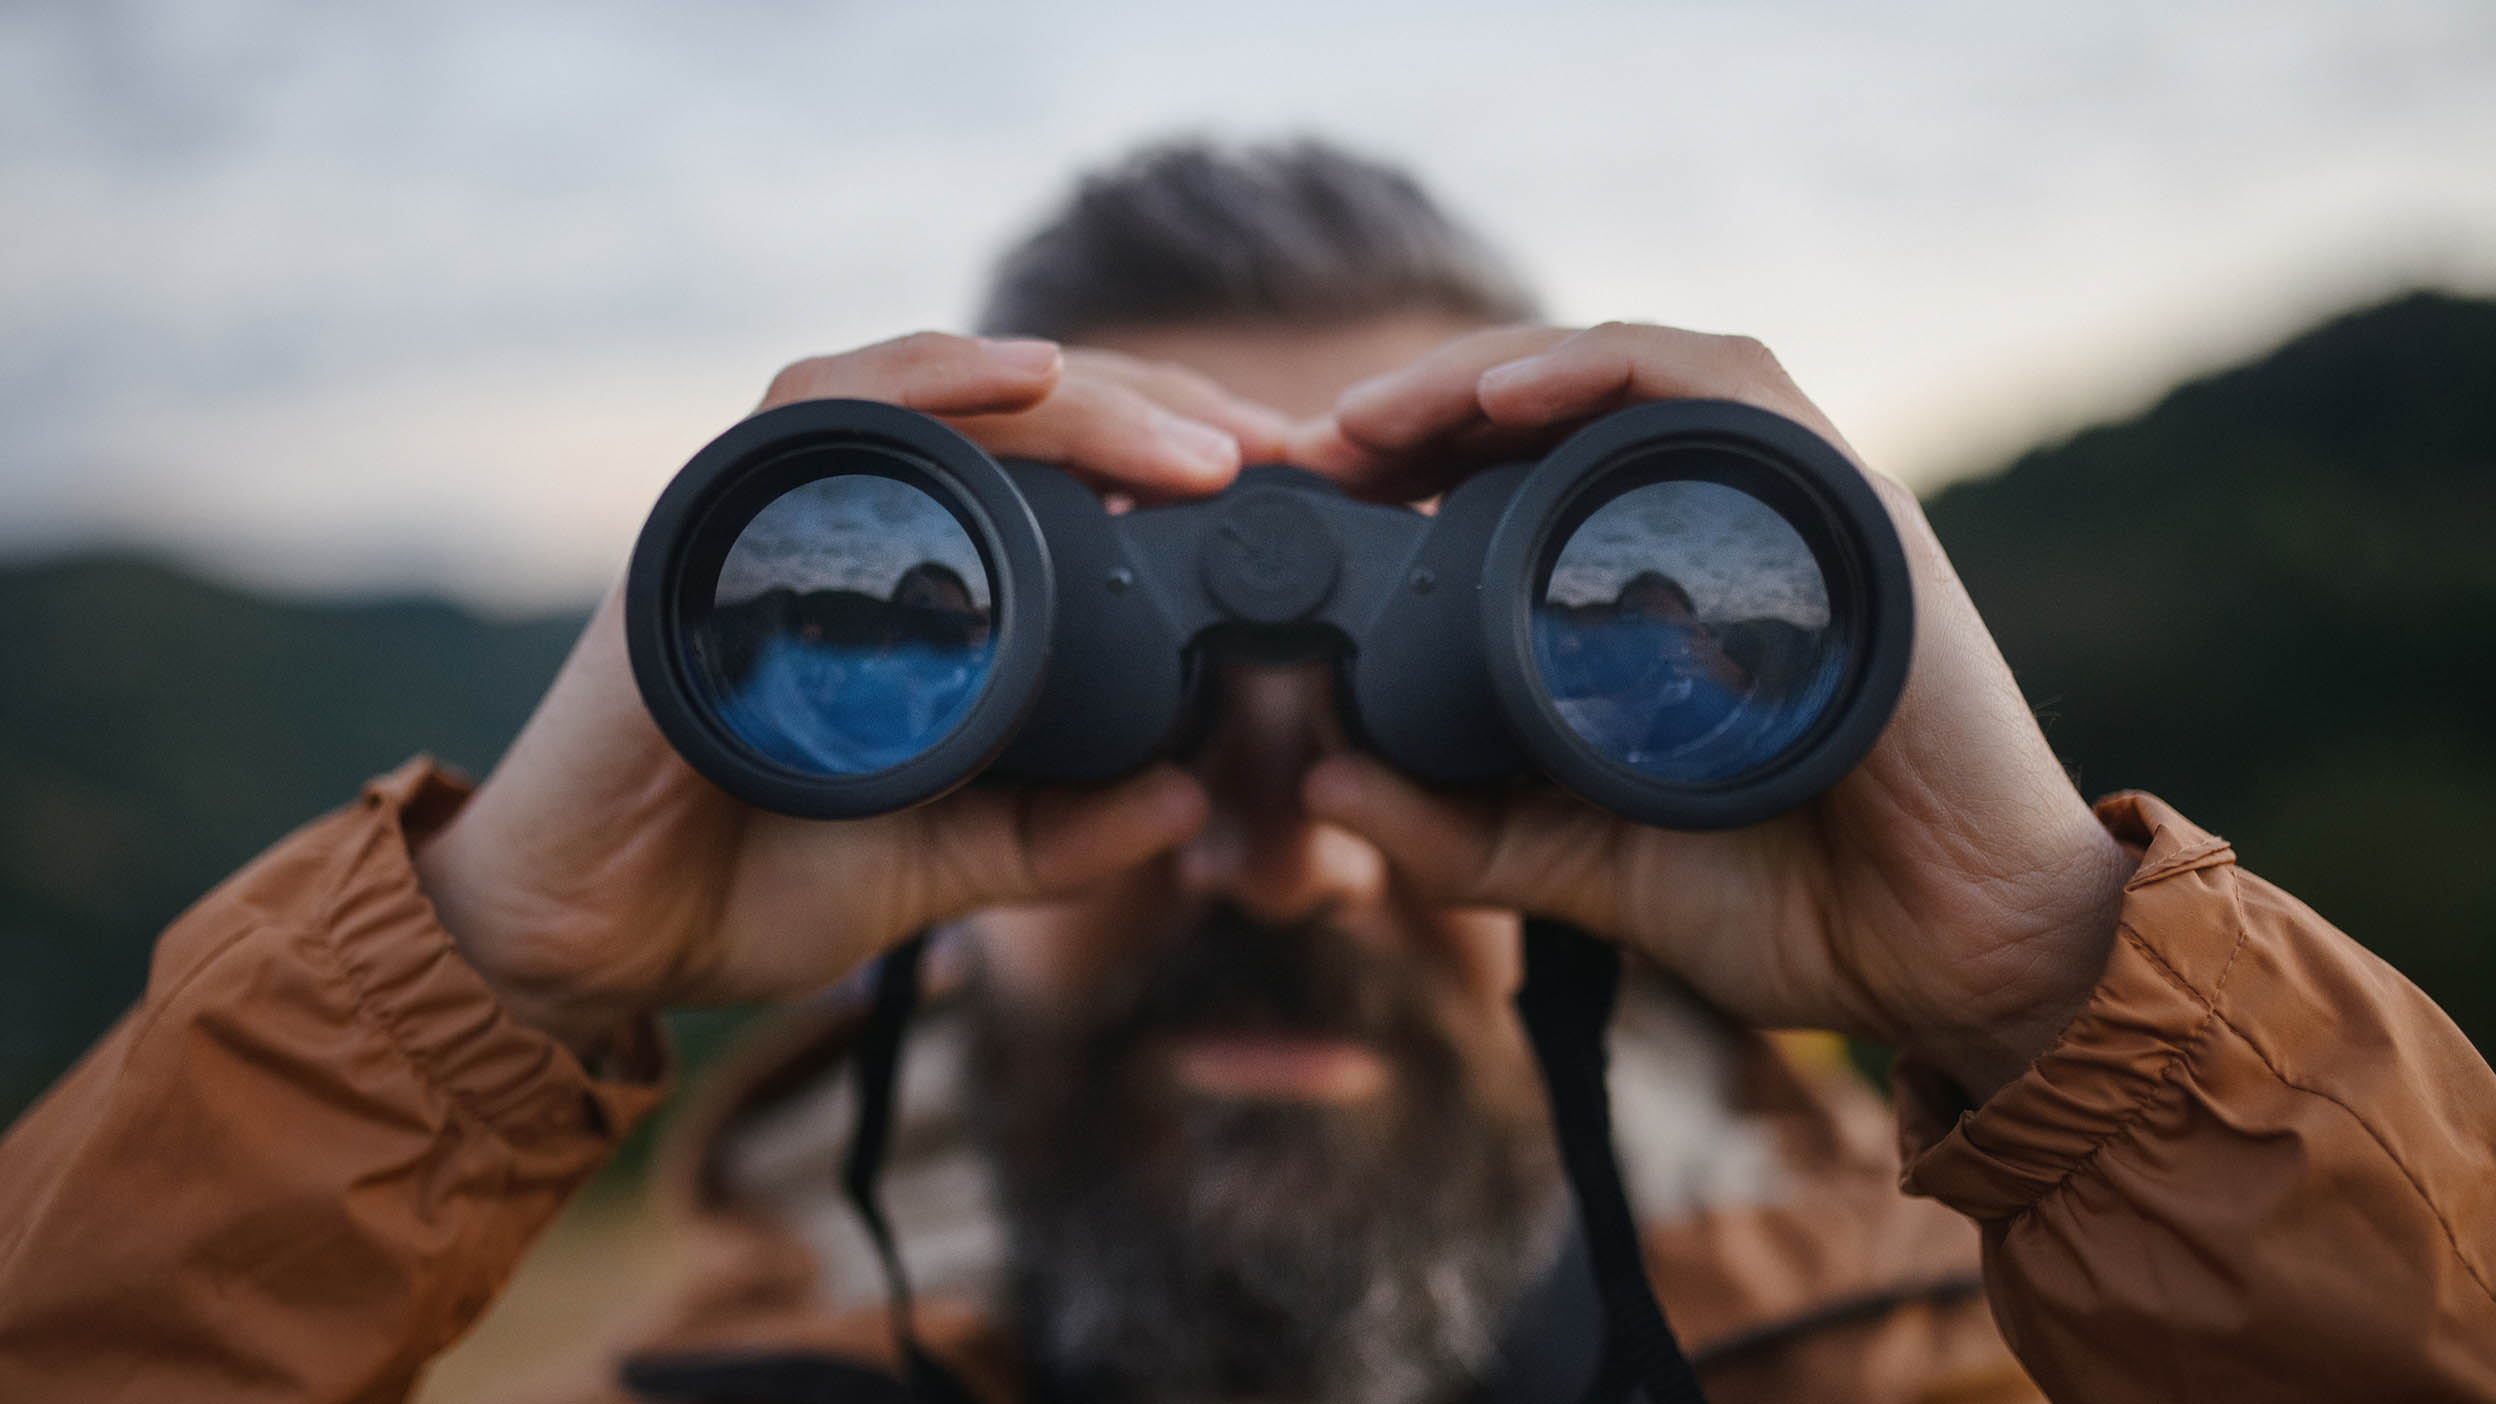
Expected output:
(2178, 938)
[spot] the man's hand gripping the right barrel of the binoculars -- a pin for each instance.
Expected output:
(1953, 896)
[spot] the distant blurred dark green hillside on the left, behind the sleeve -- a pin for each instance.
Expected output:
(158, 731)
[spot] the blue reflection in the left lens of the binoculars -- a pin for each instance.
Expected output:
(850, 628)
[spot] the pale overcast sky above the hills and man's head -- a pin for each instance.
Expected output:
(388, 294)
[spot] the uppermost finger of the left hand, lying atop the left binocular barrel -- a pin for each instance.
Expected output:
(927, 371)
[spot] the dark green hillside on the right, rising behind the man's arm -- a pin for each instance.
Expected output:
(2273, 598)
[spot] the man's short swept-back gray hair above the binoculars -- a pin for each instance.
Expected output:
(1277, 234)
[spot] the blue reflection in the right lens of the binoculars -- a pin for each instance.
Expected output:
(1686, 633)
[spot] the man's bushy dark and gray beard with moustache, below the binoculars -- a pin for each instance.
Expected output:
(1192, 1250)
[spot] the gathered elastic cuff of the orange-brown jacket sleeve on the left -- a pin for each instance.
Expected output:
(525, 1085)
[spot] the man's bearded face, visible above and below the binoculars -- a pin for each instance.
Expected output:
(1262, 1123)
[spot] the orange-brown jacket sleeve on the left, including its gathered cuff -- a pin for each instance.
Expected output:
(313, 1150)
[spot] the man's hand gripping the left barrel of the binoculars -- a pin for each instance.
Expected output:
(595, 876)
